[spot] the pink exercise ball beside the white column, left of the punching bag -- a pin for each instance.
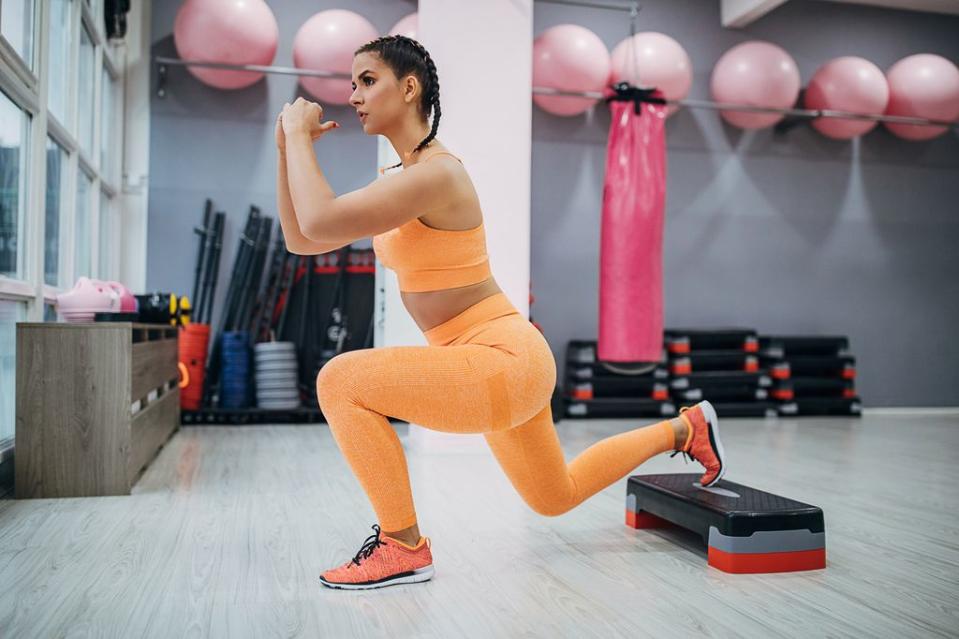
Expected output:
(570, 58)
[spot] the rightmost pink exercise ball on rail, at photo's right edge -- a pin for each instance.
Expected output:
(923, 86)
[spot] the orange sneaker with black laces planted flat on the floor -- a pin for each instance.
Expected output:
(382, 562)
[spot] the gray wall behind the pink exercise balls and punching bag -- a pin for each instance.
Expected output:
(791, 234)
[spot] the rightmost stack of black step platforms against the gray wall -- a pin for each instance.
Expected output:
(811, 375)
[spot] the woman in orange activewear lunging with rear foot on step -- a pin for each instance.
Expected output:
(486, 369)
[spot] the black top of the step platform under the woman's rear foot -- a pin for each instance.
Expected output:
(735, 510)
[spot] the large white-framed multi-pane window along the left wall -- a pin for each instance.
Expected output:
(77, 213)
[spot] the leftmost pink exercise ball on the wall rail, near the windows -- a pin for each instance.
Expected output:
(229, 32)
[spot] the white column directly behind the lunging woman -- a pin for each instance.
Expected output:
(483, 55)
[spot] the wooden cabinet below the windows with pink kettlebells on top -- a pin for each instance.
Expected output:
(95, 403)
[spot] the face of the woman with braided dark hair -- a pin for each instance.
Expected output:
(376, 94)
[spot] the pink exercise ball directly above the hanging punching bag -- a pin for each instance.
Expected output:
(658, 61)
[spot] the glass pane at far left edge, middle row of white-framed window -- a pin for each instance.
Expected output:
(14, 137)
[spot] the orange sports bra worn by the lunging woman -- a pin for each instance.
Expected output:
(431, 259)
